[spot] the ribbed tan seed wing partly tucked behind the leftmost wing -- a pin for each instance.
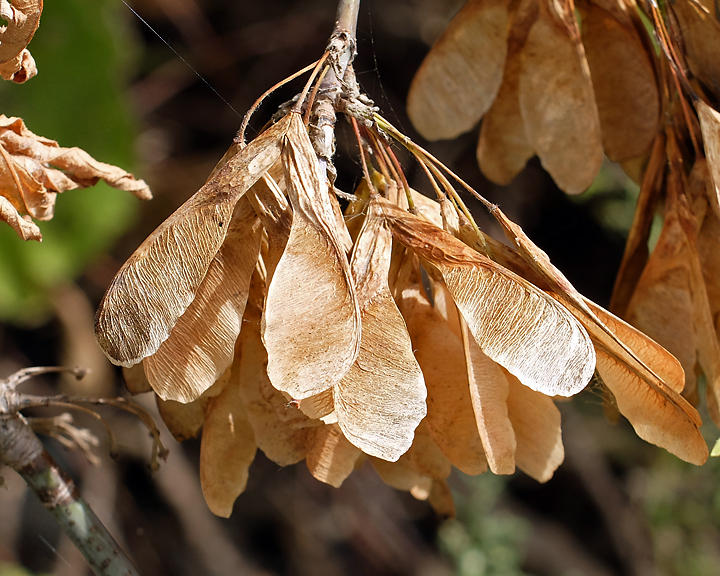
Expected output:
(200, 346)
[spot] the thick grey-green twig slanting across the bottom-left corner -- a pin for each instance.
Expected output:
(21, 449)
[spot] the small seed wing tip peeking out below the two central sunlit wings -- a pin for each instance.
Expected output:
(331, 458)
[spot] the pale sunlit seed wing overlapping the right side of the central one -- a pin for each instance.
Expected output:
(381, 400)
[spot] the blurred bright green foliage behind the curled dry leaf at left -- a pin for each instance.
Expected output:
(85, 49)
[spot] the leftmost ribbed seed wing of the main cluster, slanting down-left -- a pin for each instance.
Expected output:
(158, 282)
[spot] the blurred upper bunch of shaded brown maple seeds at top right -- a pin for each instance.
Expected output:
(542, 86)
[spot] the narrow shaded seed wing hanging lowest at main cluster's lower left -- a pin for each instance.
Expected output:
(227, 449)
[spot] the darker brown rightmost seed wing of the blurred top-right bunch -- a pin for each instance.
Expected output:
(624, 81)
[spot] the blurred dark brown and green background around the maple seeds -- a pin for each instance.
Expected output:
(109, 85)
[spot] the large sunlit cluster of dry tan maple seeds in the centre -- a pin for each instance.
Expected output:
(398, 333)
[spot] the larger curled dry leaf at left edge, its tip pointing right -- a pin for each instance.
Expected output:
(34, 169)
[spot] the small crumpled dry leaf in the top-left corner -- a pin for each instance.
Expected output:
(22, 18)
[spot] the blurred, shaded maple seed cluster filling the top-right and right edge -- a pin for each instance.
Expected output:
(570, 80)
